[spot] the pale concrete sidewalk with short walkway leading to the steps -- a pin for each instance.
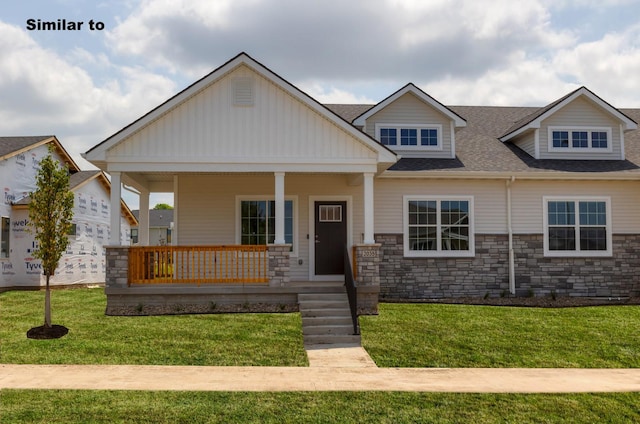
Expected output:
(345, 368)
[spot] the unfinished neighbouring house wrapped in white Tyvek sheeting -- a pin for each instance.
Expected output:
(84, 262)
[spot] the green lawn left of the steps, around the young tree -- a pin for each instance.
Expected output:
(218, 339)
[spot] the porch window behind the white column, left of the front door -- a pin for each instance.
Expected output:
(258, 221)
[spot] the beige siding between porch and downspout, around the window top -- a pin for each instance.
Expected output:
(489, 196)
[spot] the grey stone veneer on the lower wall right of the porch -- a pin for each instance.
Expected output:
(488, 273)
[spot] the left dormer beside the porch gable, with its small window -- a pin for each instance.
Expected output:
(413, 124)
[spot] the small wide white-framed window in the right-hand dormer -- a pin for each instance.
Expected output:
(579, 139)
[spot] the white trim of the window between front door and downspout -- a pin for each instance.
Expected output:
(437, 253)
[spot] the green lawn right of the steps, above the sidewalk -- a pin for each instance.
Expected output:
(434, 335)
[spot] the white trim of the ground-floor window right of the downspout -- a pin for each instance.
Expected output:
(577, 252)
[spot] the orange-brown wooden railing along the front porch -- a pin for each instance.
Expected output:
(198, 264)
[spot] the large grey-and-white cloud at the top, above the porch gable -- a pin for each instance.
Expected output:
(333, 39)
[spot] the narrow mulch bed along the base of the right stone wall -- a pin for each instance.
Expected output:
(536, 302)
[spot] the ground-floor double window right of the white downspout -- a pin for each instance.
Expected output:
(577, 227)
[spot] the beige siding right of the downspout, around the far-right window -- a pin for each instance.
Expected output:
(528, 208)
